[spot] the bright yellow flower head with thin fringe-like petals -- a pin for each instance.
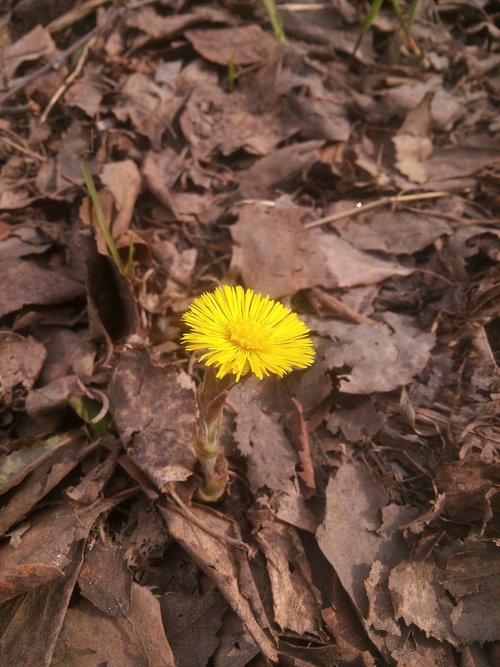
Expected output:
(244, 331)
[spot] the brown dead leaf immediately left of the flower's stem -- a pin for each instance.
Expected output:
(154, 411)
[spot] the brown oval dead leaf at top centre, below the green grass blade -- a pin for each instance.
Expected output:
(239, 45)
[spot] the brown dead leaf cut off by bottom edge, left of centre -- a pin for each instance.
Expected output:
(89, 637)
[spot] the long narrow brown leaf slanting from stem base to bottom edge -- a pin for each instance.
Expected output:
(222, 566)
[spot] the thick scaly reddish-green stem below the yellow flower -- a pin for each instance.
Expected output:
(212, 394)
